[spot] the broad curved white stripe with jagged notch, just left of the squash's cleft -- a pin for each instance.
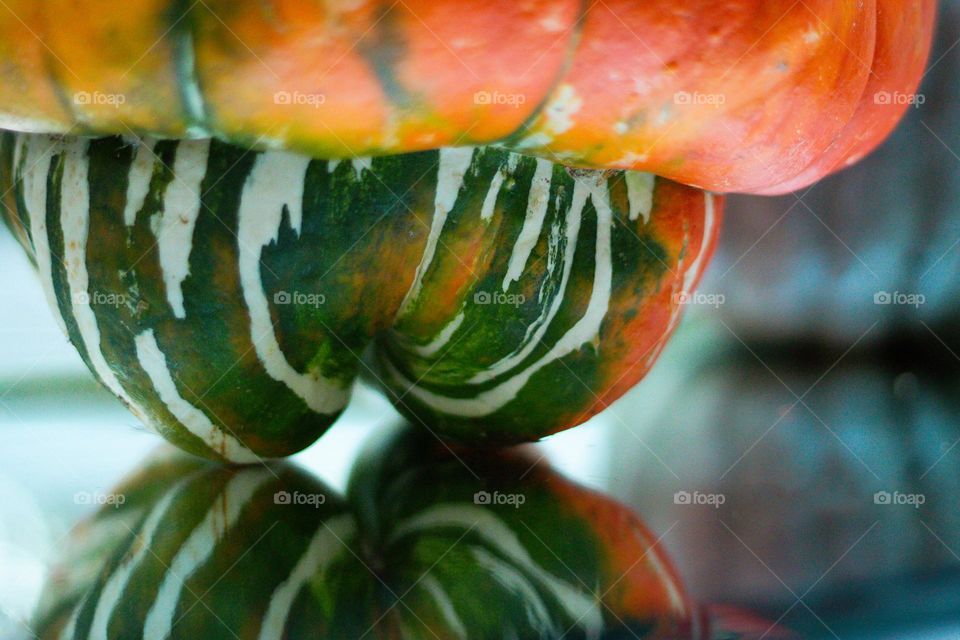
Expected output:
(276, 181)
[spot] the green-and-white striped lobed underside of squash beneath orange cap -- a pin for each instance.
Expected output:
(226, 296)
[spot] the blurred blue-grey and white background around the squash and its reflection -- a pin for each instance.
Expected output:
(797, 446)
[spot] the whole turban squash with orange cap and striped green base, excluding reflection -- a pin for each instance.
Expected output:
(251, 219)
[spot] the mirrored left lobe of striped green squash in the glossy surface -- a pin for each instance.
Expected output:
(213, 549)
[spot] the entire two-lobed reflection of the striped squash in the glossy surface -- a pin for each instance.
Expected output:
(196, 549)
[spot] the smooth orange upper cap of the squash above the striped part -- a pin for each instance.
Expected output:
(735, 95)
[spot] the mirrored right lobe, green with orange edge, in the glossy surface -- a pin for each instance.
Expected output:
(498, 545)
